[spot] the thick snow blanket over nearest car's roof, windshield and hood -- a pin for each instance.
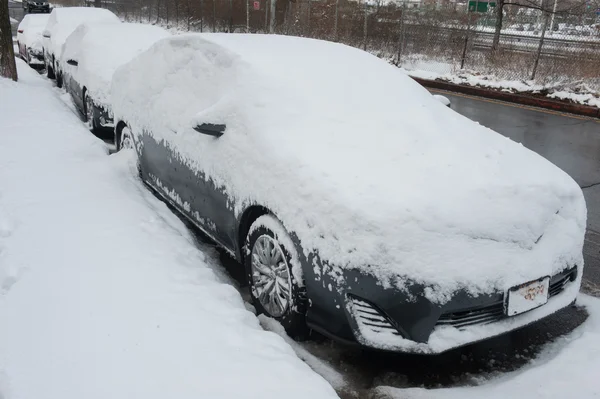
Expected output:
(358, 160)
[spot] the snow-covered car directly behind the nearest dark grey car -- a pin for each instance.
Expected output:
(90, 56)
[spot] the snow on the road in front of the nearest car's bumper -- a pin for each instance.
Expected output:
(568, 367)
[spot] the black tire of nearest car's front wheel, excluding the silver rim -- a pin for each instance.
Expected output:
(294, 318)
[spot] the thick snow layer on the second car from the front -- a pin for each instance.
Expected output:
(101, 48)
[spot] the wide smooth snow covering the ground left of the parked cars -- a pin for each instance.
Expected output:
(104, 293)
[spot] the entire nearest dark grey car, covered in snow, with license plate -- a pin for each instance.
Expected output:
(361, 206)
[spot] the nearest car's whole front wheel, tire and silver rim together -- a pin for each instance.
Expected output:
(269, 256)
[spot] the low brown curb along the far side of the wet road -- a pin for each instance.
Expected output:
(524, 99)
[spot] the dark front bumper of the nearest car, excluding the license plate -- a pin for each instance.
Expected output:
(405, 321)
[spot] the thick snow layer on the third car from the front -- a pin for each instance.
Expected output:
(63, 21)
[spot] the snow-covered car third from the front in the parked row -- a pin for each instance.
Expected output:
(62, 22)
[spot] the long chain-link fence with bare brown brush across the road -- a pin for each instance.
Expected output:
(548, 41)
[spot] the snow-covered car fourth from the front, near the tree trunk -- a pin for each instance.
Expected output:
(29, 39)
